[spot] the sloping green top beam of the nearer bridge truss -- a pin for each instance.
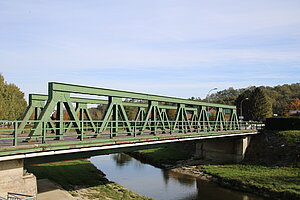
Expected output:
(70, 88)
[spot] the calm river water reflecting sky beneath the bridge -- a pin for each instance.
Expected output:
(162, 184)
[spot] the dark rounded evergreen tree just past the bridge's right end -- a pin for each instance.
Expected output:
(261, 106)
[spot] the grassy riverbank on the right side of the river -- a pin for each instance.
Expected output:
(270, 169)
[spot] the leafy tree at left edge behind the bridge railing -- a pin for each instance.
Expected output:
(12, 102)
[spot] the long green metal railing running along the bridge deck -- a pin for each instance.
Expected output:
(12, 135)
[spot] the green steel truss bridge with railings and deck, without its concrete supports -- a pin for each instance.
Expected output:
(47, 133)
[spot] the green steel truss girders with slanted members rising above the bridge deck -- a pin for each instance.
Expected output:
(155, 117)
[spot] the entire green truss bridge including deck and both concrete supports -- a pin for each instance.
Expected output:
(60, 124)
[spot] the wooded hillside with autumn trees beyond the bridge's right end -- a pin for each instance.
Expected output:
(262, 101)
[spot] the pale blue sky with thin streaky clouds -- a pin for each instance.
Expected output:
(166, 47)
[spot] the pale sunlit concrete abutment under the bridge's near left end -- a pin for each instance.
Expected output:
(14, 179)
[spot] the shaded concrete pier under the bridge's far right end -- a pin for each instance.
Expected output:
(225, 150)
